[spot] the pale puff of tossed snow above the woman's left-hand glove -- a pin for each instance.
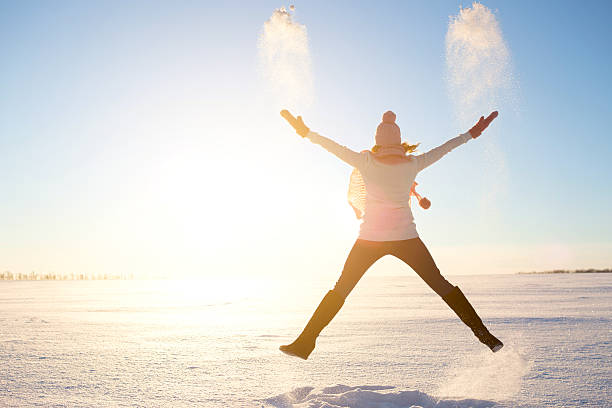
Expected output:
(284, 57)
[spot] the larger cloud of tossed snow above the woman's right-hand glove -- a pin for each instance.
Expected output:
(478, 62)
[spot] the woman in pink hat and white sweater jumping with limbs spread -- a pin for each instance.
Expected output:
(387, 173)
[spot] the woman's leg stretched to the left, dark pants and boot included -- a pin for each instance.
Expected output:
(362, 256)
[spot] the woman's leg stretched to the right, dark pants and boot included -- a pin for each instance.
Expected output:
(415, 253)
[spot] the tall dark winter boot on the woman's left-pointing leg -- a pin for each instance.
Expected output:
(305, 343)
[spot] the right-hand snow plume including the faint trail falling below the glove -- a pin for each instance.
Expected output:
(480, 80)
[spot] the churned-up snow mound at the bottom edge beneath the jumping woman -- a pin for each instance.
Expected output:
(368, 396)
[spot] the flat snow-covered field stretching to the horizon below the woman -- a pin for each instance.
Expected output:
(395, 344)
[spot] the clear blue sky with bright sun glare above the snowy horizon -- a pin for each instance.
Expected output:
(140, 136)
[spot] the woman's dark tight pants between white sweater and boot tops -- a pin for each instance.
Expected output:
(411, 251)
